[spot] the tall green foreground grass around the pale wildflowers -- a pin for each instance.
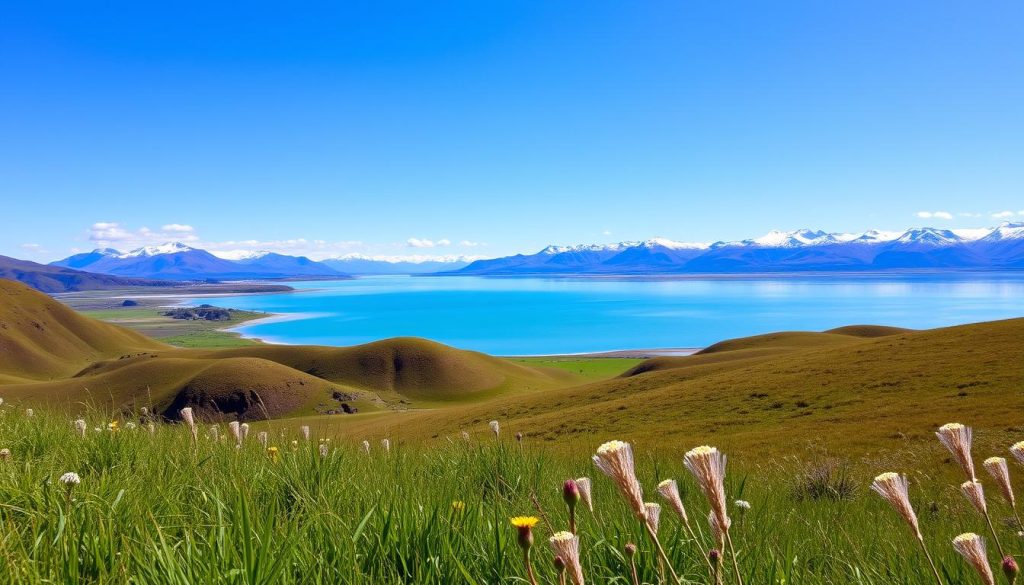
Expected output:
(158, 510)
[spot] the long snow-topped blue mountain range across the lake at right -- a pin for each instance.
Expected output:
(801, 250)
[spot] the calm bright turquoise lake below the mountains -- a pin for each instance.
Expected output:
(540, 316)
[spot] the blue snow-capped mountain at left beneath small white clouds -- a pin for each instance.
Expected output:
(180, 262)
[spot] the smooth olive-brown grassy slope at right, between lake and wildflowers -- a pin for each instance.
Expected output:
(777, 395)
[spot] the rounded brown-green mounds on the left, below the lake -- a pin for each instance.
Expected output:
(53, 355)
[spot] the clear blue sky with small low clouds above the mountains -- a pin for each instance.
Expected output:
(475, 129)
